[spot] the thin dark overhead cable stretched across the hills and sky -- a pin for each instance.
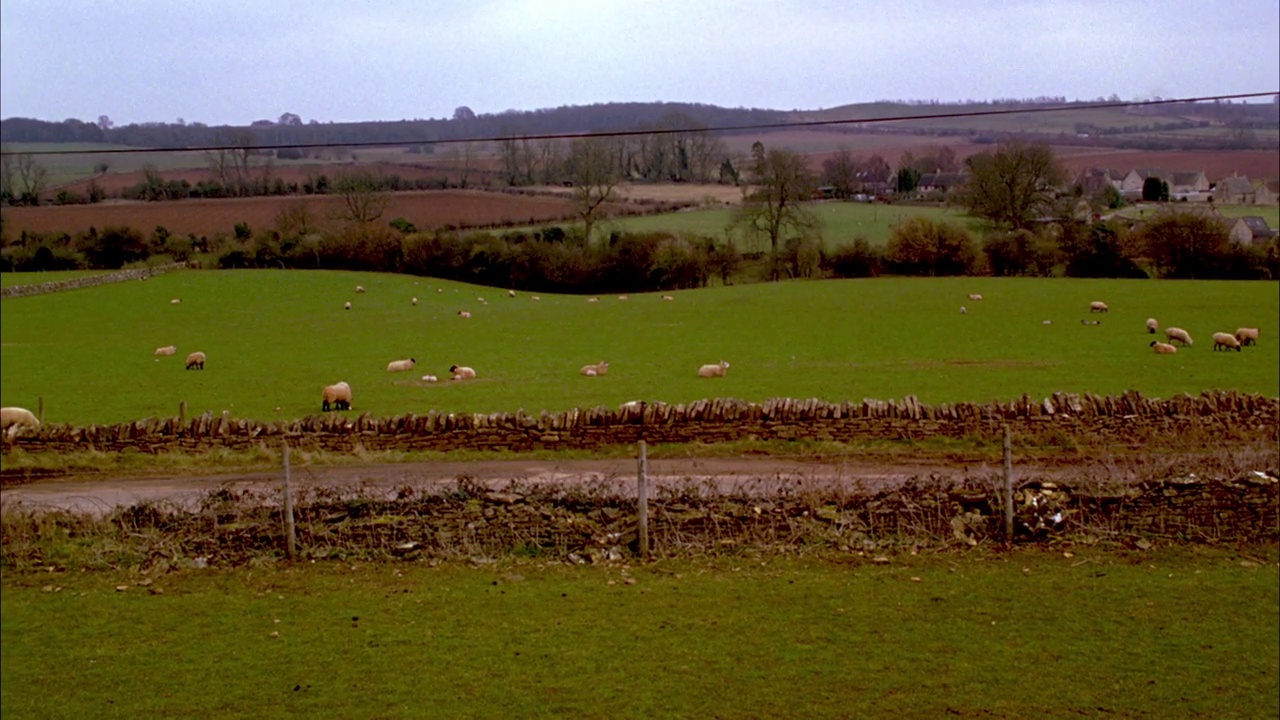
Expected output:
(670, 131)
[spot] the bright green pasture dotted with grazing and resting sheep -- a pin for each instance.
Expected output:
(275, 339)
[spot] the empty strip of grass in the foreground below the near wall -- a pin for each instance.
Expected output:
(995, 636)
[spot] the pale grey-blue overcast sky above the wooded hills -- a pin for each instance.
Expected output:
(234, 62)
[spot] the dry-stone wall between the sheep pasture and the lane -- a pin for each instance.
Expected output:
(1212, 418)
